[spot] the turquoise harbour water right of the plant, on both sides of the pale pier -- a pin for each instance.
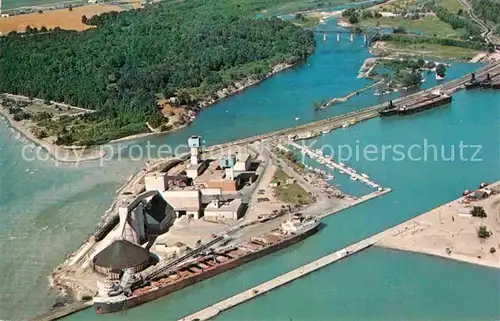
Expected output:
(376, 284)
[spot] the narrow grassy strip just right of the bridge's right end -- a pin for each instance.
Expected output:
(430, 50)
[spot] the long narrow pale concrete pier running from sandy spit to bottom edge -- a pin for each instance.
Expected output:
(265, 287)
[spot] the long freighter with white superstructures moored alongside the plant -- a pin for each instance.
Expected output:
(133, 290)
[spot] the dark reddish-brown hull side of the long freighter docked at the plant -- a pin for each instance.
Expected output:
(129, 303)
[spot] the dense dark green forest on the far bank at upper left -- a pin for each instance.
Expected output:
(185, 49)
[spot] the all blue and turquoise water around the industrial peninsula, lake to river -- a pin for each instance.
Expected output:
(47, 211)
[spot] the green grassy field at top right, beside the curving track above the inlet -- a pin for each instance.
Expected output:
(429, 25)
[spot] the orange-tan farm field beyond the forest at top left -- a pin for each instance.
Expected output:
(63, 18)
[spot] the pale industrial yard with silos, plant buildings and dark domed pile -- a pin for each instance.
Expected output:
(178, 205)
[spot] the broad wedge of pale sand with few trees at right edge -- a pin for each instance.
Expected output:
(448, 232)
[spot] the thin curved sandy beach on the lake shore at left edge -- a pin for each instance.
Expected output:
(60, 154)
